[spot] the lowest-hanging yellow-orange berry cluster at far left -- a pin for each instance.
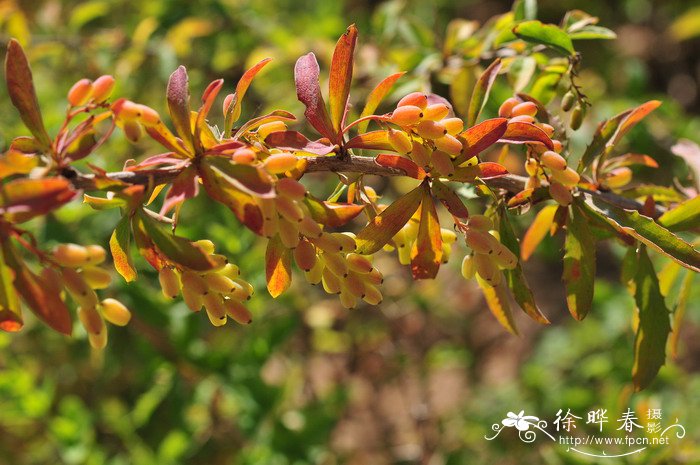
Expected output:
(77, 271)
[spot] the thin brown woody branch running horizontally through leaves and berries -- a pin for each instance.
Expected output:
(511, 183)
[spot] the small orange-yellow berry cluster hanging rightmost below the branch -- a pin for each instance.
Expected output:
(489, 256)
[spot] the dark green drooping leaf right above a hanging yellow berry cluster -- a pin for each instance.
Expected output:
(175, 248)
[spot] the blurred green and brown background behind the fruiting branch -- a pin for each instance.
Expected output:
(421, 378)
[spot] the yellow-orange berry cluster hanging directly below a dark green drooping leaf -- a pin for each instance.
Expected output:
(220, 291)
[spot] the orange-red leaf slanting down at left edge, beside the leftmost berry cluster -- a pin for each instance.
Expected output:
(42, 294)
